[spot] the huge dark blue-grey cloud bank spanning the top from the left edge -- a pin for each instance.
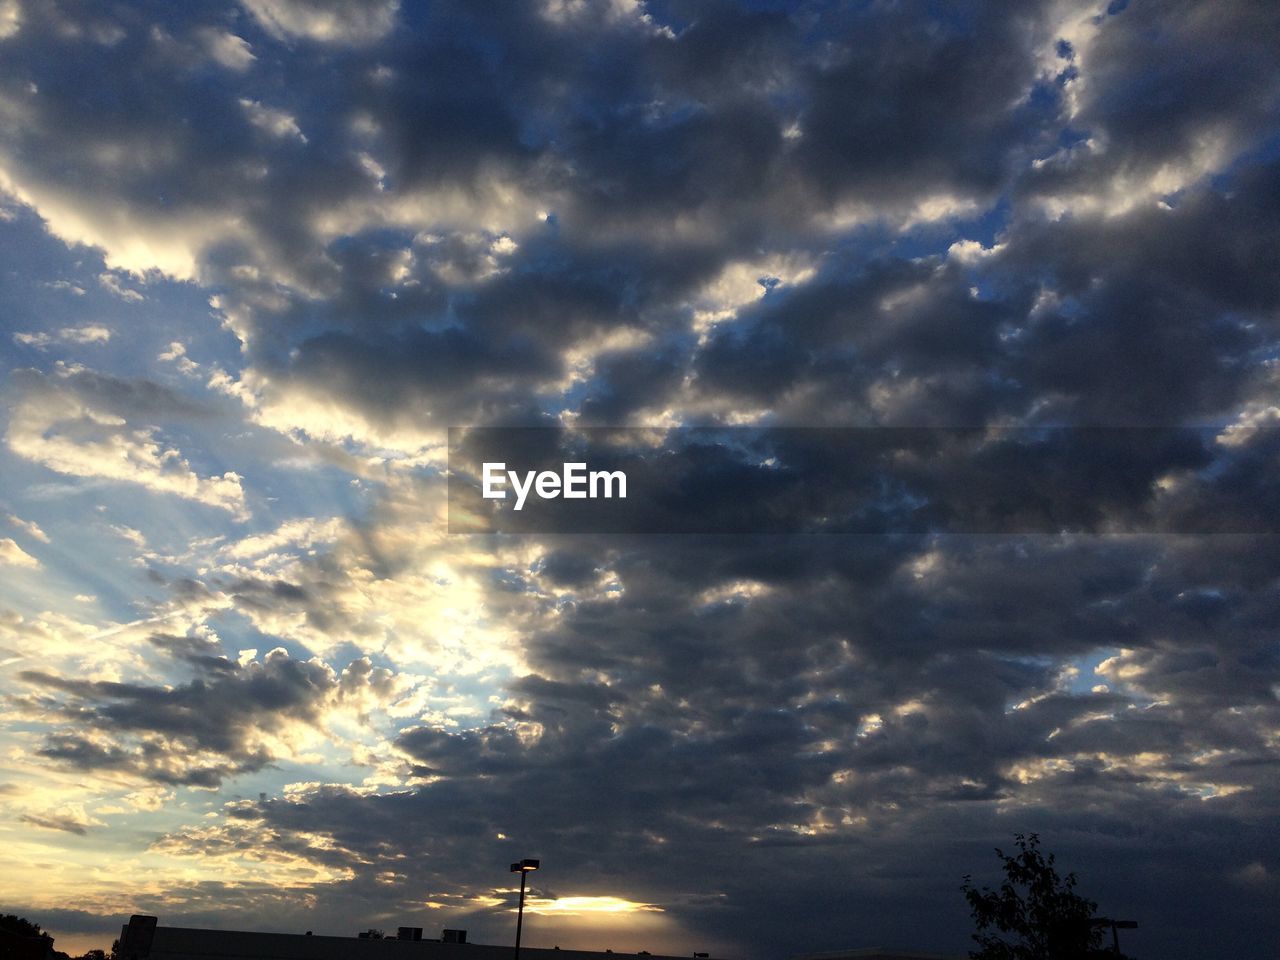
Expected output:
(633, 144)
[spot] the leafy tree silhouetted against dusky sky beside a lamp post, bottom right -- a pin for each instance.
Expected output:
(1036, 915)
